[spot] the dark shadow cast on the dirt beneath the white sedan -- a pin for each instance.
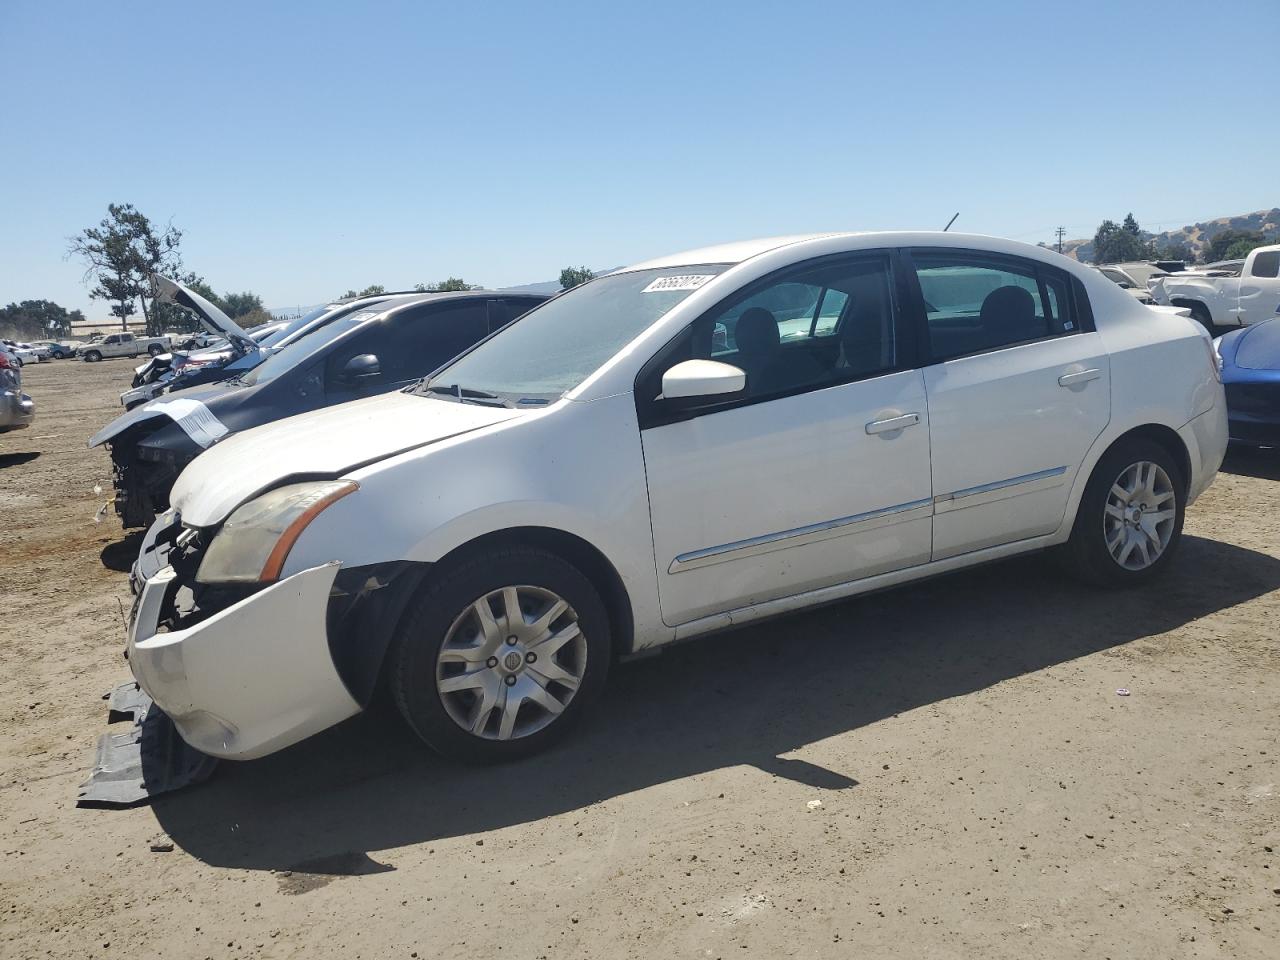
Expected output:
(747, 697)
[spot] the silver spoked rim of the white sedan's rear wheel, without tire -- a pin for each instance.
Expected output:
(1140, 514)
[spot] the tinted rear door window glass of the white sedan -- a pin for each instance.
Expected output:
(975, 304)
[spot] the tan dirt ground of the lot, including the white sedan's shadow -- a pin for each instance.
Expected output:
(944, 771)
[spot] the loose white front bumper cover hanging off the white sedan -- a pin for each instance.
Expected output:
(252, 679)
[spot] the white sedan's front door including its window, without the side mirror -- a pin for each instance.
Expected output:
(820, 474)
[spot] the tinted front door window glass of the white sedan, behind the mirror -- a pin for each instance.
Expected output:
(807, 331)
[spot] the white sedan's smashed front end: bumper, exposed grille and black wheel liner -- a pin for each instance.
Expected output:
(246, 670)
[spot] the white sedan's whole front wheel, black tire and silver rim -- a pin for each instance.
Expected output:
(499, 657)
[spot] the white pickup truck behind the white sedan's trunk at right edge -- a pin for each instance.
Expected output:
(1222, 299)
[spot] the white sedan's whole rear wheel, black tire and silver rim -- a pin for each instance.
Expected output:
(1131, 518)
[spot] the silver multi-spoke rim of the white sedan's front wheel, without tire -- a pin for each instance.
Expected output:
(511, 662)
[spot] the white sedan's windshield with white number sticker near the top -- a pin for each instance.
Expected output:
(557, 346)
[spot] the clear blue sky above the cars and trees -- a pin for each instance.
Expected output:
(310, 148)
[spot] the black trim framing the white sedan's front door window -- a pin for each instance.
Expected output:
(652, 413)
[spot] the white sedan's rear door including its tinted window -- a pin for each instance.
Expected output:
(1018, 387)
